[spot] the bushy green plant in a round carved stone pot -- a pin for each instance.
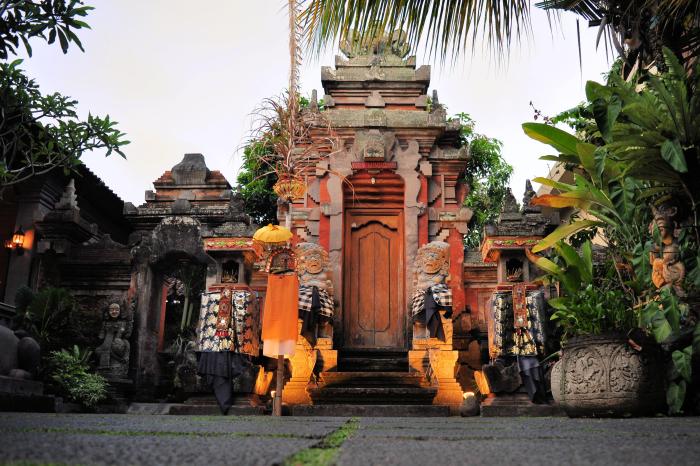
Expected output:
(601, 371)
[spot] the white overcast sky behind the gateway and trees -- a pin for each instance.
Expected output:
(182, 76)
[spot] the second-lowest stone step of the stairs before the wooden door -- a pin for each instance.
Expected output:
(373, 395)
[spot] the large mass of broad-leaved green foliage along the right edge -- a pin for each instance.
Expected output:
(645, 152)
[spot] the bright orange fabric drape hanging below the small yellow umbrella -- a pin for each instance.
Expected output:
(279, 332)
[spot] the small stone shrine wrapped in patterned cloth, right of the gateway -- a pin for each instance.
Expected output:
(516, 324)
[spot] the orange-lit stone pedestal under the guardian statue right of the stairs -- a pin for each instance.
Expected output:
(437, 361)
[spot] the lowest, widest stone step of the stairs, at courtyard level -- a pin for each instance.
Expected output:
(369, 410)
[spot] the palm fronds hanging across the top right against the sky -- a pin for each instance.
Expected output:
(637, 29)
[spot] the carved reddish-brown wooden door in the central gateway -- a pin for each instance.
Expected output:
(374, 280)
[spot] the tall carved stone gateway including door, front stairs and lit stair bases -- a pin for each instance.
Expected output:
(386, 184)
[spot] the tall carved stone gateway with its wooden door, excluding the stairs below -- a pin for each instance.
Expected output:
(388, 186)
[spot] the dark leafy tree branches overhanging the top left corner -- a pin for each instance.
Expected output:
(42, 132)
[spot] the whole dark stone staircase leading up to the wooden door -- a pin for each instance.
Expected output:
(372, 383)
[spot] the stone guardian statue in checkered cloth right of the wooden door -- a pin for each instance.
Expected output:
(430, 291)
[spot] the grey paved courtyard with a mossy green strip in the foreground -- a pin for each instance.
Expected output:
(142, 439)
